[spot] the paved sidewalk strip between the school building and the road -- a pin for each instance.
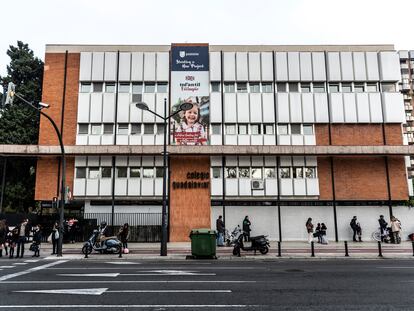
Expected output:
(179, 251)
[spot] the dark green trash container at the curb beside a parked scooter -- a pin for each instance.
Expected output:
(203, 243)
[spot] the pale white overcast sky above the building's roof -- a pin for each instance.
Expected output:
(253, 22)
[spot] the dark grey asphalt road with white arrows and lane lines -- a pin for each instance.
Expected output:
(283, 284)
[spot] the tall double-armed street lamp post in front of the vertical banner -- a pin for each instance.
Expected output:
(183, 107)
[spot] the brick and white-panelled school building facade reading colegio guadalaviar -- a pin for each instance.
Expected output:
(292, 132)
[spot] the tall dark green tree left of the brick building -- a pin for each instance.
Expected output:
(19, 124)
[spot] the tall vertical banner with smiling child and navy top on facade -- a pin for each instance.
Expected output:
(190, 82)
